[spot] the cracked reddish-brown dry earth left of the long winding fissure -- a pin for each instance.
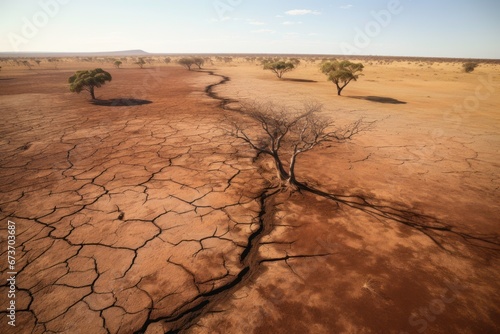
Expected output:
(123, 213)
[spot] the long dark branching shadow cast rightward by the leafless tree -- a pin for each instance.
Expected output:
(436, 230)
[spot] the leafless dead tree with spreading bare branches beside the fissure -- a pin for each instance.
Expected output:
(285, 134)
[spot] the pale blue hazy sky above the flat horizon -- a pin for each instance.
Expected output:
(437, 28)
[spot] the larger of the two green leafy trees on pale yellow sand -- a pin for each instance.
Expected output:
(342, 73)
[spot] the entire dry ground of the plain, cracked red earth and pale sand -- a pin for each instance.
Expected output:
(140, 214)
